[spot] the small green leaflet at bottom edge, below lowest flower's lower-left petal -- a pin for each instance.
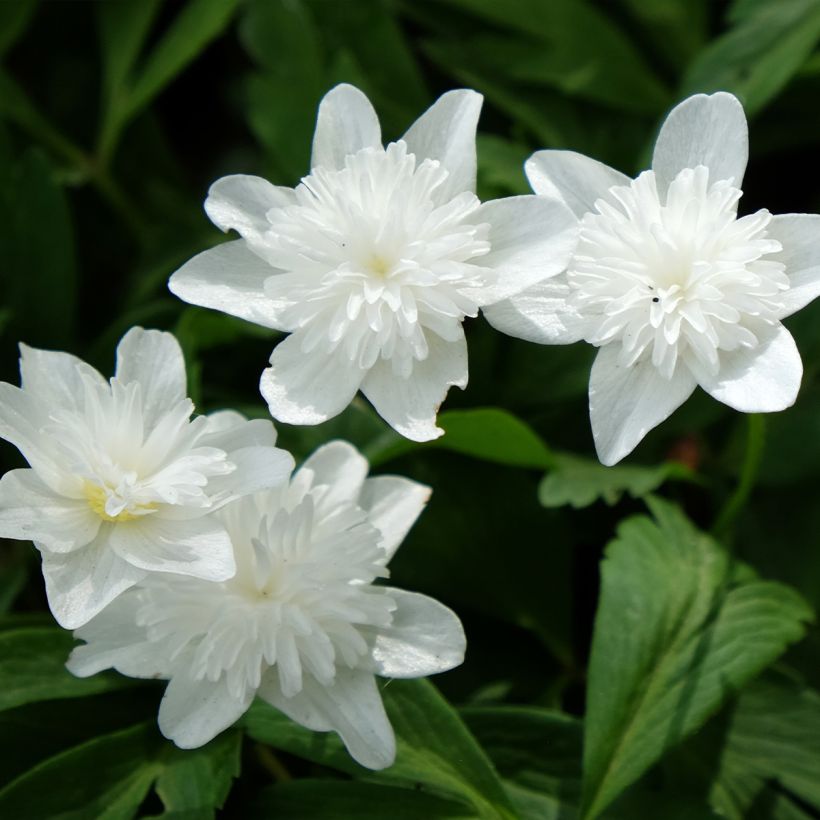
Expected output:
(199, 780)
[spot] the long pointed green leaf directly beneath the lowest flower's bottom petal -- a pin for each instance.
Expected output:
(435, 751)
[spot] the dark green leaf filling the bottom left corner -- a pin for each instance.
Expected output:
(106, 778)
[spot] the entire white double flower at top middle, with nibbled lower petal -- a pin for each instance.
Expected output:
(373, 262)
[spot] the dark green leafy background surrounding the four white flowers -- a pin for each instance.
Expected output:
(116, 115)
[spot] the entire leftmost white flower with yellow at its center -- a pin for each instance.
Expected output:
(122, 482)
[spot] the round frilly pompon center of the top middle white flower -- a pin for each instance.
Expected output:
(376, 257)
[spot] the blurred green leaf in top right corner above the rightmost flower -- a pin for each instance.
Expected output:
(756, 58)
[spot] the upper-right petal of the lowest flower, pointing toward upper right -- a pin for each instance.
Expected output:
(393, 504)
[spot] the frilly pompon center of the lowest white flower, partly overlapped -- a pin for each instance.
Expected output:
(302, 592)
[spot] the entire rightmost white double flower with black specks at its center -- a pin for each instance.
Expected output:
(673, 287)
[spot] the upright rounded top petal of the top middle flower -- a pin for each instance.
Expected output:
(346, 123)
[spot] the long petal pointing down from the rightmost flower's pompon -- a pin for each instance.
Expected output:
(626, 403)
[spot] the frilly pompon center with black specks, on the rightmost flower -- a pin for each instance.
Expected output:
(677, 280)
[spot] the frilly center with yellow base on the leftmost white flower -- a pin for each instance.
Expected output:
(123, 468)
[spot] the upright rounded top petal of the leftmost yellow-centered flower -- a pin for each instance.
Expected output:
(154, 360)
